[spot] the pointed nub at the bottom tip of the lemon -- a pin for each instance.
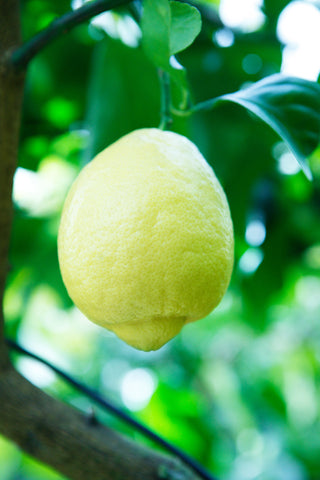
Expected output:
(149, 335)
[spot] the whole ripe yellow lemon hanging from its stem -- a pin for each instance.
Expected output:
(146, 239)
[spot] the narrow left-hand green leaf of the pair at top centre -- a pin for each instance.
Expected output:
(155, 26)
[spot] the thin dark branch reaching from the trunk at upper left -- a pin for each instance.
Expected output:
(22, 56)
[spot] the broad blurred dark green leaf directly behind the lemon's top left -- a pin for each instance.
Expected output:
(124, 94)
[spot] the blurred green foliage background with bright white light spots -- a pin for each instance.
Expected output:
(239, 391)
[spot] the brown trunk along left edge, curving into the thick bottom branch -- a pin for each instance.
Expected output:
(45, 428)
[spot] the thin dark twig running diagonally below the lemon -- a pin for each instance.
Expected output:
(106, 404)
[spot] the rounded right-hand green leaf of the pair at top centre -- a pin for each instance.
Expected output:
(185, 26)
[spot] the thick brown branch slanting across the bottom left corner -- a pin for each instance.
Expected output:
(61, 437)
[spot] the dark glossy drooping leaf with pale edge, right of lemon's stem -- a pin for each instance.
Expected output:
(291, 106)
